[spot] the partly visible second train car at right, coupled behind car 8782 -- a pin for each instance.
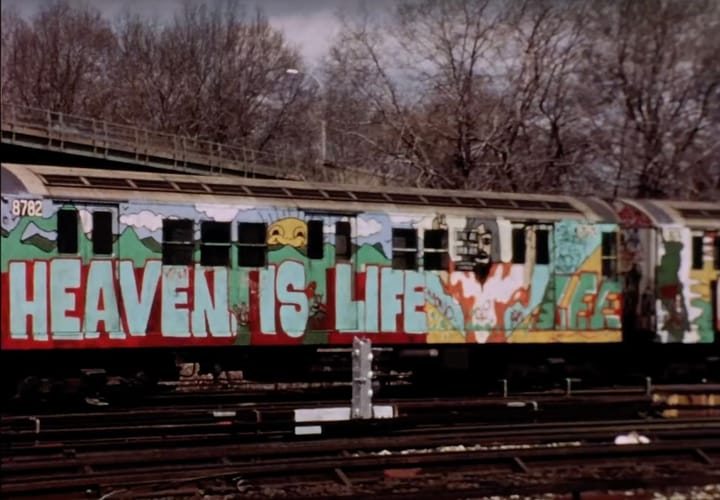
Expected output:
(670, 262)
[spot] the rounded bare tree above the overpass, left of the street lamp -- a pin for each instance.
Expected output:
(211, 74)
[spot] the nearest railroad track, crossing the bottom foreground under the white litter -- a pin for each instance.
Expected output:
(358, 463)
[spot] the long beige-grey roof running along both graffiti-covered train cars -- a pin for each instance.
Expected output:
(128, 186)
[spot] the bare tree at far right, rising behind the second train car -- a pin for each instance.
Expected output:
(653, 96)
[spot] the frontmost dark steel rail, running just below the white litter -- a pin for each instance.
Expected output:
(146, 474)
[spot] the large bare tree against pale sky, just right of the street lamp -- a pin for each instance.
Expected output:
(468, 92)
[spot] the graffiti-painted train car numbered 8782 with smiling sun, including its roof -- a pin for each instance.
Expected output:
(98, 259)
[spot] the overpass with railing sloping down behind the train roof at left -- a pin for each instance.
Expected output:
(40, 136)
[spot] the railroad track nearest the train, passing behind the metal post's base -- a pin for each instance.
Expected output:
(205, 412)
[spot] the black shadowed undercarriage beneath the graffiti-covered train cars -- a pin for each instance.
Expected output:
(54, 376)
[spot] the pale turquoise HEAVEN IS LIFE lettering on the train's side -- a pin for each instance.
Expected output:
(113, 298)
